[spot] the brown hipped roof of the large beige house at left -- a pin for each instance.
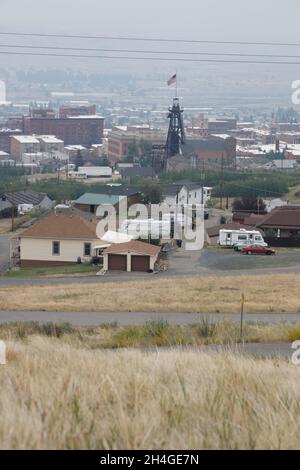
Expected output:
(63, 226)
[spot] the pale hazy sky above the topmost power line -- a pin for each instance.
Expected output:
(213, 19)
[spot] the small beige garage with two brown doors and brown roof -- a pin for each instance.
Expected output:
(131, 256)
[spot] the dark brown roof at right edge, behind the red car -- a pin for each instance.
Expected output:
(286, 217)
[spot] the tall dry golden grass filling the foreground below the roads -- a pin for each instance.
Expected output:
(57, 396)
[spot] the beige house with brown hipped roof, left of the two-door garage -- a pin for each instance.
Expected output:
(60, 239)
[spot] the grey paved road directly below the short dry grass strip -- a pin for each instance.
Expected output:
(139, 318)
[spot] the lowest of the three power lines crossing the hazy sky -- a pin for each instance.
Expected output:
(168, 59)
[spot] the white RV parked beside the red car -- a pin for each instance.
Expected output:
(241, 237)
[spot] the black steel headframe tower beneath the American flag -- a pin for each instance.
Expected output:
(176, 135)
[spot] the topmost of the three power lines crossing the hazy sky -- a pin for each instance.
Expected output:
(147, 39)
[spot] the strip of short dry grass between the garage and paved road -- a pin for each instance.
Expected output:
(264, 293)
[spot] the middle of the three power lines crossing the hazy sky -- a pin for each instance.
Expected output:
(134, 51)
